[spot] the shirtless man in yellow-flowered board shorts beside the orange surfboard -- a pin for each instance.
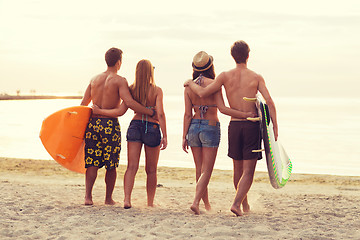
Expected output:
(103, 136)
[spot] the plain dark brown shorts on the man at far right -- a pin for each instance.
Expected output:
(243, 137)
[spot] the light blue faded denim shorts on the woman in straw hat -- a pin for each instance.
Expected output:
(203, 133)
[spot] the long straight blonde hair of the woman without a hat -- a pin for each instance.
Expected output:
(144, 81)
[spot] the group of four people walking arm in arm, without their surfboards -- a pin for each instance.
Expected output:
(201, 127)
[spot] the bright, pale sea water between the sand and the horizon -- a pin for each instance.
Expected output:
(320, 135)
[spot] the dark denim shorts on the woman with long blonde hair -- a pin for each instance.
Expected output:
(144, 132)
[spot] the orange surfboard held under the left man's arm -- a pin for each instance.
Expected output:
(62, 134)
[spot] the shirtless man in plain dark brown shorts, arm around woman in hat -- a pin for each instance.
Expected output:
(244, 136)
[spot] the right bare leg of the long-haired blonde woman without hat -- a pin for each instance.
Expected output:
(151, 161)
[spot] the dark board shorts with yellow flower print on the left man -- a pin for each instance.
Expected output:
(102, 143)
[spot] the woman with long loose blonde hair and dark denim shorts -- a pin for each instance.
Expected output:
(143, 130)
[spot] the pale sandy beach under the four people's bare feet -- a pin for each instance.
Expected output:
(42, 200)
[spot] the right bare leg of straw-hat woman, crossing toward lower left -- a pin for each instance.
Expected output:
(208, 161)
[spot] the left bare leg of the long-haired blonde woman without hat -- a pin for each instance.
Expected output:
(134, 150)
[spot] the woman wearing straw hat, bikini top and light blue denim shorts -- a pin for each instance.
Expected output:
(201, 129)
